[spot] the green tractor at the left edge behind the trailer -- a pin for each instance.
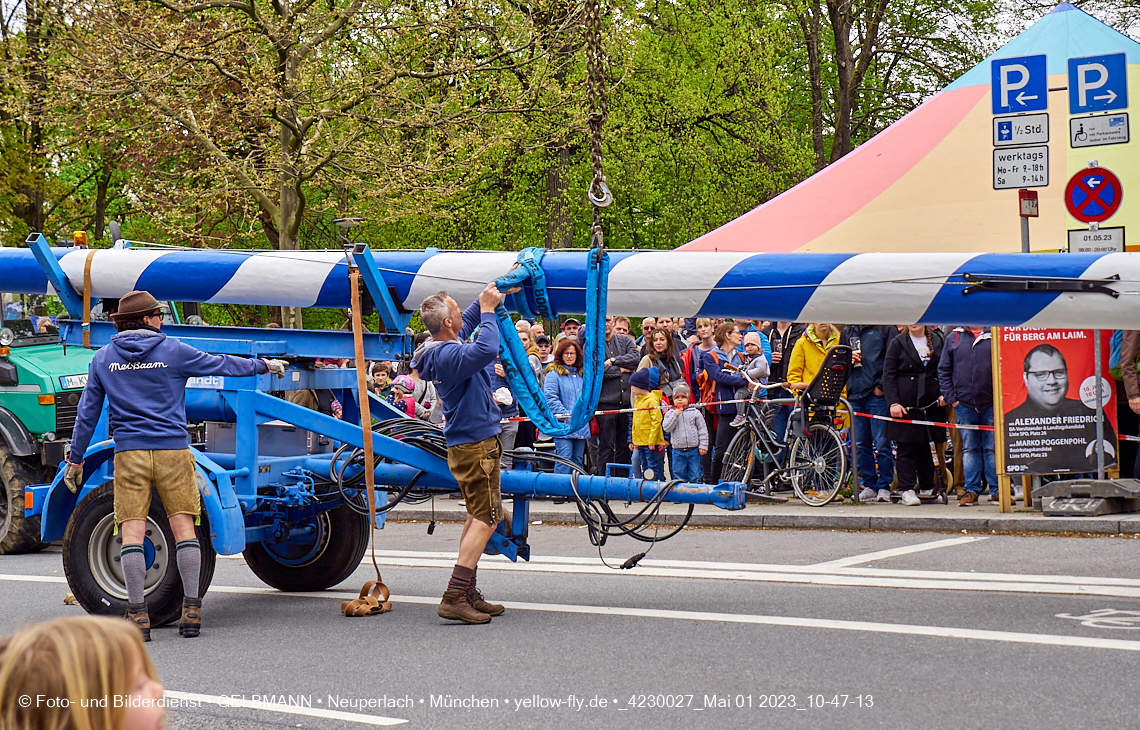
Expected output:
(40, 386)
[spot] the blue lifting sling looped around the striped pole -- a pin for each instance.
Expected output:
(514, 358)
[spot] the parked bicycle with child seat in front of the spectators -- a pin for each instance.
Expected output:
(816, 464)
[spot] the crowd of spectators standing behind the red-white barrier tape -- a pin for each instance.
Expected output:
(655, 384)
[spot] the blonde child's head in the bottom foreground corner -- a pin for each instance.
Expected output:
(72, 670)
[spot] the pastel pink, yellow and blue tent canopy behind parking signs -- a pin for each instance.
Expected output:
(926, 183)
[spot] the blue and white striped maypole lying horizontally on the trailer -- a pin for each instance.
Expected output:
(1054, 290)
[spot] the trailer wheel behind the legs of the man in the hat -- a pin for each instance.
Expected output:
(92, 559)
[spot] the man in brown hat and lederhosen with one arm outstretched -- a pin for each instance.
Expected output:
(143, 376)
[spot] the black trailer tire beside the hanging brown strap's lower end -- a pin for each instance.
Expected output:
(335, 553)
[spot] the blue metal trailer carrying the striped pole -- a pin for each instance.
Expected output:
(280, 483)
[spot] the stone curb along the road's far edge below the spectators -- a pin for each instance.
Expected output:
(1014, 524)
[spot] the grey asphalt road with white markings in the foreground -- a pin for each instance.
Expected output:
(716, 629)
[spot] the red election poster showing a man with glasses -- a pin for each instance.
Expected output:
(1049, 402)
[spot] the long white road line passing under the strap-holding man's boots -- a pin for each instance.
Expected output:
(947, 632)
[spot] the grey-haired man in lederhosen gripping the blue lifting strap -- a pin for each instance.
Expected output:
(471, 429)
